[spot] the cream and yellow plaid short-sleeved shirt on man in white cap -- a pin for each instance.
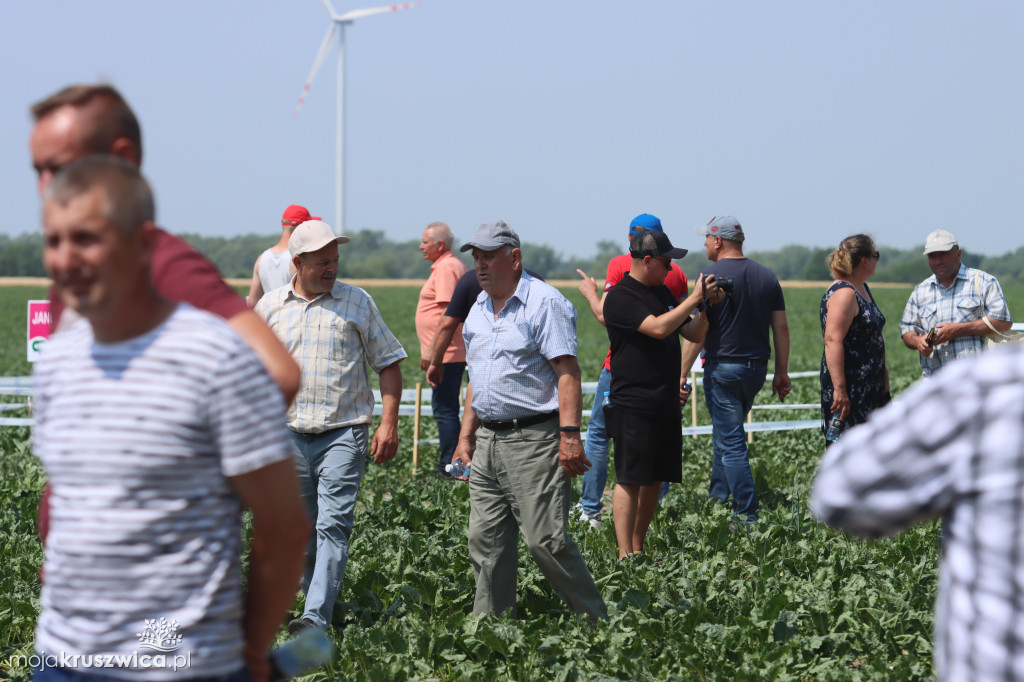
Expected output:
(332, 337)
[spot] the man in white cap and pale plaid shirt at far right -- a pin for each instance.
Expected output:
(951, 314)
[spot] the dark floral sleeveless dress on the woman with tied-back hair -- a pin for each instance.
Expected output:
(864, 356)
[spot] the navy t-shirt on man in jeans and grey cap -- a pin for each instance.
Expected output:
(739, 326)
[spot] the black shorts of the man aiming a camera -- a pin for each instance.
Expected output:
(649, 448)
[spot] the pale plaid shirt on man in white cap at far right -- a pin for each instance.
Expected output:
(973, 295)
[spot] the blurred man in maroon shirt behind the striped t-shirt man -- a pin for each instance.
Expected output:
(83, 120)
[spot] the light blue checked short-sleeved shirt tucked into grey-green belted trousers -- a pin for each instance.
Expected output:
(508, 359)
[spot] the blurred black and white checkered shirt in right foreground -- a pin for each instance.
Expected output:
(952, 448)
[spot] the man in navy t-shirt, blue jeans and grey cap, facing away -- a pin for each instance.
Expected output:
(737, 353)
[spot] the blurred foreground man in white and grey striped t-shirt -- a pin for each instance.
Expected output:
(156, 424)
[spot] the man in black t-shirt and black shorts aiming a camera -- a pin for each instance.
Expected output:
(643, 414)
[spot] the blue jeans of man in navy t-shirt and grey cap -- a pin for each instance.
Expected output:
(730, 392)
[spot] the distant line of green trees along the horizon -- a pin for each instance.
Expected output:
(372, 255)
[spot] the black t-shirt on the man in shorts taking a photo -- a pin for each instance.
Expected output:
(645, 370)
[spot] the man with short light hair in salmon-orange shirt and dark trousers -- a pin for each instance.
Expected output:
(446, 270)
